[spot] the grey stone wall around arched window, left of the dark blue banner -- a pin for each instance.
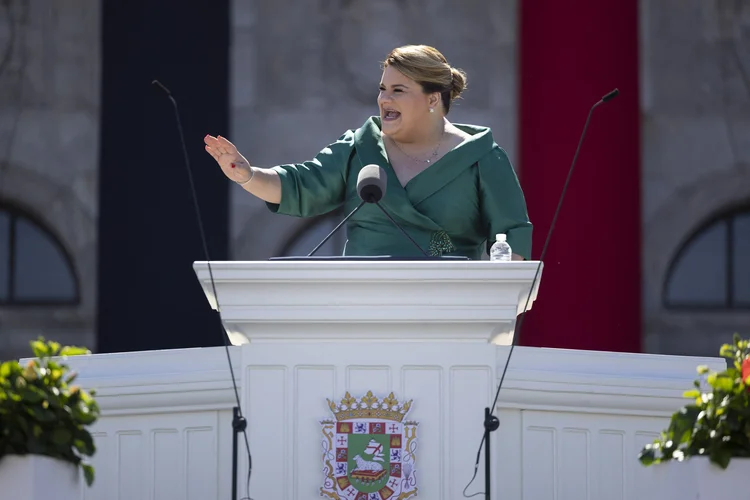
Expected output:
(49, 106)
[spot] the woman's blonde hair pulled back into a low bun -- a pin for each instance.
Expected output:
(429, 68)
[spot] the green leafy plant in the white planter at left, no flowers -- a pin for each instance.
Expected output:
(42, 413)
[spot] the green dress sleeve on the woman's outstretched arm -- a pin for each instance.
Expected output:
(317, 186)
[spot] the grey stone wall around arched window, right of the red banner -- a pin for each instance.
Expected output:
(695, 62)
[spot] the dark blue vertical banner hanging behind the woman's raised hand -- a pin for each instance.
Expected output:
(148, 295)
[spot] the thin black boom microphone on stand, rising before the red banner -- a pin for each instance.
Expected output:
(491, 422)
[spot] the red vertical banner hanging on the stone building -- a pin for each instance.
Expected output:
(572, 54)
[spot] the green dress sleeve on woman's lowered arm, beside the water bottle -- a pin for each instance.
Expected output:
(503, 204)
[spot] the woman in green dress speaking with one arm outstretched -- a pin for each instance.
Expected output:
(450, 186)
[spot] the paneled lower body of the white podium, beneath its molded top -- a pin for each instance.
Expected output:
(287, 388)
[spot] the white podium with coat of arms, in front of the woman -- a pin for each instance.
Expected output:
(417, 333)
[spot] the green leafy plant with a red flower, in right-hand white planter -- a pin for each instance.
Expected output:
(716, 423)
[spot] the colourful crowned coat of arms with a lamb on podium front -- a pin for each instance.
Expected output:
(369, 450)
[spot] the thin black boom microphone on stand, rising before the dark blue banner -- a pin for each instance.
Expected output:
(239, 423)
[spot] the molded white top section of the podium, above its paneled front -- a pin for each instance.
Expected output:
(374, 301)
